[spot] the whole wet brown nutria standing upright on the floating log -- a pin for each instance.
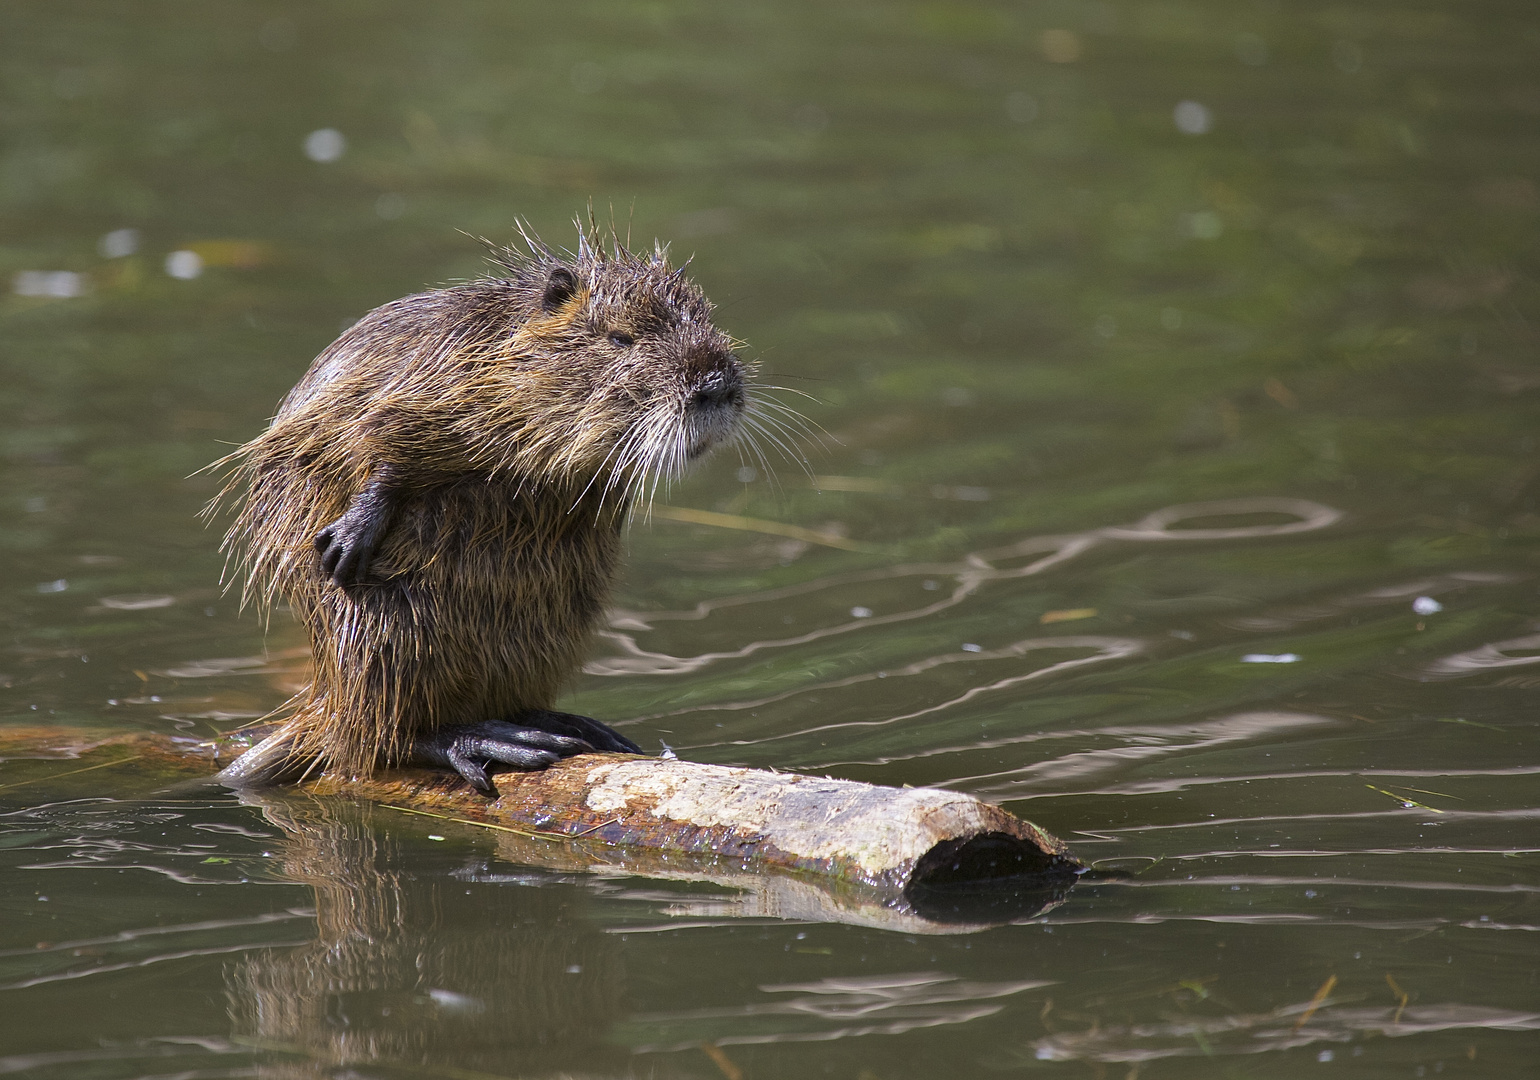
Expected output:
(441, 503)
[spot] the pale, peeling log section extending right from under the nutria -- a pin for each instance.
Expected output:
(834, 828)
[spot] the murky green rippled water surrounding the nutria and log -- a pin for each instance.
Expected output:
(1033, 312)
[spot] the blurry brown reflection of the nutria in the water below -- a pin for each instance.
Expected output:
(413, 965)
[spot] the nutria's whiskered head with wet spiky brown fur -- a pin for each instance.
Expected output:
(612, 369)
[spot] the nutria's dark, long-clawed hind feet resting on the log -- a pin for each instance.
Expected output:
(543, 740)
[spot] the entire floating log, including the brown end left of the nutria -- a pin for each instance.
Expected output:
(871, 845)
